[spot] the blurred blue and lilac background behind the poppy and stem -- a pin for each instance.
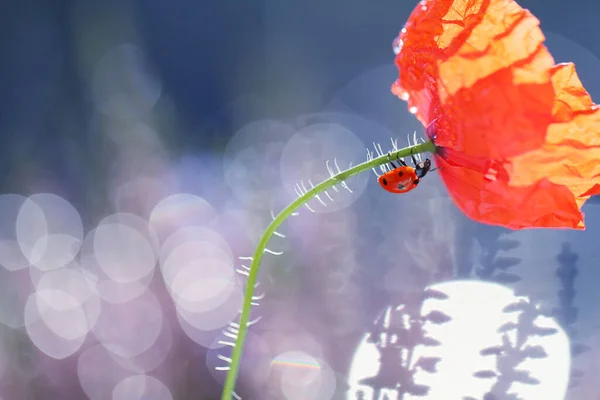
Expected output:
(143, 147)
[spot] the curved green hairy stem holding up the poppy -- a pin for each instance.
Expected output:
(264, 240)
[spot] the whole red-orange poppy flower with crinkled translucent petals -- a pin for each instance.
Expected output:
(518, 137)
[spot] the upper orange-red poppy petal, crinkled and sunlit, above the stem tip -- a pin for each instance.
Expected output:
(480, 68)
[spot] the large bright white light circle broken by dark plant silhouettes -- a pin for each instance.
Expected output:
(476, 312)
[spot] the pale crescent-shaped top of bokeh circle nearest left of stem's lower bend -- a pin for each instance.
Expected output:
(178, 211)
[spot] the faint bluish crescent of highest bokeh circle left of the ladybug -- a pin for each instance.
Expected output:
(252, 160)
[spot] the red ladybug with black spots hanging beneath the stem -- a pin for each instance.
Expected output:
(404, 178)
